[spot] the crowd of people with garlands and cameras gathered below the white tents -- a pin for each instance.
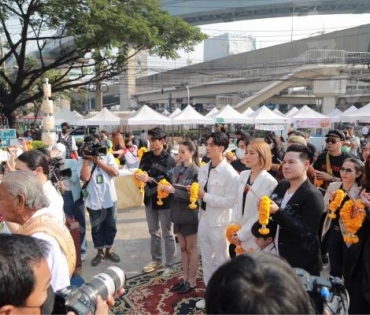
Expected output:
(303, 188)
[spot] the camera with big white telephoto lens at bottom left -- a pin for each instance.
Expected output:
(82, 300)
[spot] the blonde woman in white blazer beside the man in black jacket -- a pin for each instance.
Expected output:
(258, 158)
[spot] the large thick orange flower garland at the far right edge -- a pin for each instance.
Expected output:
(352, 222)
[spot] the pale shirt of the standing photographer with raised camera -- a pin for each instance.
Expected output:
(101, 196)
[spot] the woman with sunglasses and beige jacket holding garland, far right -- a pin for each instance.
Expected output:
(349, 187)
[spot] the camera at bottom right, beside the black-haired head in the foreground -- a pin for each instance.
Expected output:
(327, 294)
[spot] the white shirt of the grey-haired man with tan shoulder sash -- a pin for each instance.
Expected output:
(56, 259)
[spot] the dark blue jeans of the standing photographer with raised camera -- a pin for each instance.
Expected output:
(103, 227)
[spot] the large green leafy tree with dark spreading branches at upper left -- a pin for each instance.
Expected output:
(91, 39)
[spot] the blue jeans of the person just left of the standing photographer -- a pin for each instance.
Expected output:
(76, 210)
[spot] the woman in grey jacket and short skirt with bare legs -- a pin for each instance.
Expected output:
(185, 220)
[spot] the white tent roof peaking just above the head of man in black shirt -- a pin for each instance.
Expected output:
(147, 116)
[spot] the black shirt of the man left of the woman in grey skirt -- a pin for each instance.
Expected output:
(157, 167)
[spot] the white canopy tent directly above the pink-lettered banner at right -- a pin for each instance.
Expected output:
(309, 118)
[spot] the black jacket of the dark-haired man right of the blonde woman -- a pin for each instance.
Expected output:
(299, 222)
